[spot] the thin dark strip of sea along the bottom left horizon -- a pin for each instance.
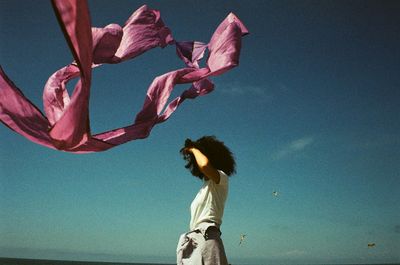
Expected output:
(13, 261)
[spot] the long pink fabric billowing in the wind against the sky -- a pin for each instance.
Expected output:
(66, 124)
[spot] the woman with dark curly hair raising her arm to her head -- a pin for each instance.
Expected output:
(210, 160)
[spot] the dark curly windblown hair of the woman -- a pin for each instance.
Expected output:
(217, 153)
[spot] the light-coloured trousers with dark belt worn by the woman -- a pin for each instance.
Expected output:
(201, 247)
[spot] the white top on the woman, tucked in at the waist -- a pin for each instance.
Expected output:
(208, 205)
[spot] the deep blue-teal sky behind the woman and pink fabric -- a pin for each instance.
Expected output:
(311, 112)
